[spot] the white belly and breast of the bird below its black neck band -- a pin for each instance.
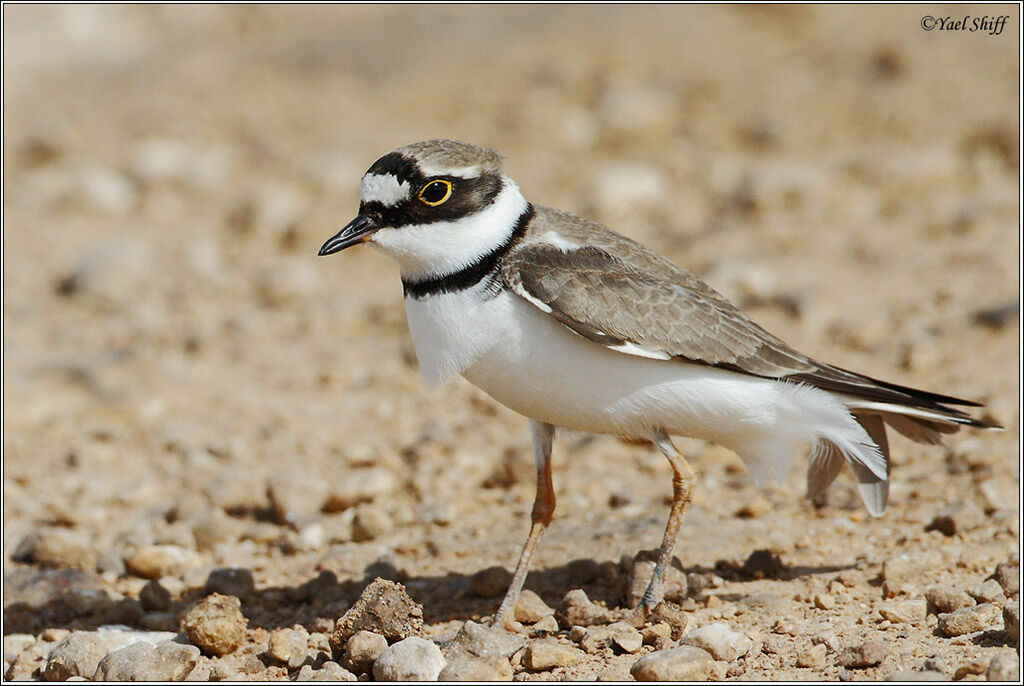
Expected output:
(529, 362)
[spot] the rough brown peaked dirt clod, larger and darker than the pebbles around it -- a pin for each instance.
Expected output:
(385, 608)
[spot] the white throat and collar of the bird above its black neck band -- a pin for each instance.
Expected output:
(428, 251)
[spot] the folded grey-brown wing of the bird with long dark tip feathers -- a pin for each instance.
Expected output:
(661, 311)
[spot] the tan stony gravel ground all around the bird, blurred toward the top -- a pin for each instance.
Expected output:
(215, 442)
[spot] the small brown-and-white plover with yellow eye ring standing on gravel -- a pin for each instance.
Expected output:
(579, 328)
